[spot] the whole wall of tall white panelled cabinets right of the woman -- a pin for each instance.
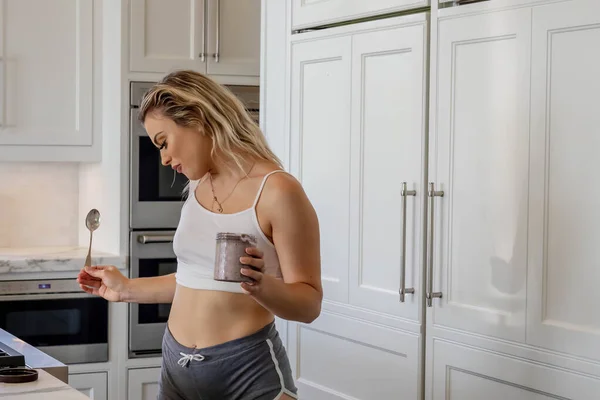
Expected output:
(507, 227)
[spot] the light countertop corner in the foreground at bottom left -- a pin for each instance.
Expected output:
(46, 387)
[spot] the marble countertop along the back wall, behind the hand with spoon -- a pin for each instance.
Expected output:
(52, 259)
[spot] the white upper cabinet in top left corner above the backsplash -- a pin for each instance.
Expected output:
(47, 81)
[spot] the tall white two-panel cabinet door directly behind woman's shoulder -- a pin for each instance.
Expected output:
(358, 102)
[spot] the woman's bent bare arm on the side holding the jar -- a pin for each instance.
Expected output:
(295, 232)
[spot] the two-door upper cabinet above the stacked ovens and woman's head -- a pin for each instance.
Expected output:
(215, 37)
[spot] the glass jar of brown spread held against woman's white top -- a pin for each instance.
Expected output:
(229, 248)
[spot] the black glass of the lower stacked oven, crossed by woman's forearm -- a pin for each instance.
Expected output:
(155, 313)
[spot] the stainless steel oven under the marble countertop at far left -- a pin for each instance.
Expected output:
(56, 317)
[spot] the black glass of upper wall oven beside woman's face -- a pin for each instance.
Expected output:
(156, 181)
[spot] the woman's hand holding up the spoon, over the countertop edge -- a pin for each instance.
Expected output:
(103, 280)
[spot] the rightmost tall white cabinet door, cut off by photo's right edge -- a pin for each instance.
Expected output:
(564, 219)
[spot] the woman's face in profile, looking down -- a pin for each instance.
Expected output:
(186, 150)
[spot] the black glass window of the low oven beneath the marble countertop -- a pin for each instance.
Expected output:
(56, 322)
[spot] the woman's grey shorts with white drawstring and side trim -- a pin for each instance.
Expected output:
(254, 367)
